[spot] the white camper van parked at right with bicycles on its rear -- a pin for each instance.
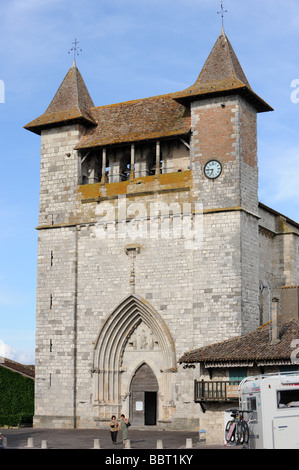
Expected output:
(272, 403)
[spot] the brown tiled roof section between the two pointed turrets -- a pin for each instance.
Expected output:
(149, 118)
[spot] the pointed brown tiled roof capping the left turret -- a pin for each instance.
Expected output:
(72, 102)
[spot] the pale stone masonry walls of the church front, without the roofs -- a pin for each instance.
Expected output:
(203, 293)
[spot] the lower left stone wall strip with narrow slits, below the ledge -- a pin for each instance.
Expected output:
(55, 324)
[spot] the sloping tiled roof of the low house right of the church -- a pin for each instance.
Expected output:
(254, 346)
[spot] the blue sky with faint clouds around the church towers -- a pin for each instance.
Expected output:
(130, 49)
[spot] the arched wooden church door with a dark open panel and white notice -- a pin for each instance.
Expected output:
(144, 397)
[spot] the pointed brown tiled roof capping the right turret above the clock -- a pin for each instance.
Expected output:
(222, 74)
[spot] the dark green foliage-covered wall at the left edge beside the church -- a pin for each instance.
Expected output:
(16, 398)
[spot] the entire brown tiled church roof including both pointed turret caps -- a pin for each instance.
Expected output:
(150, 118)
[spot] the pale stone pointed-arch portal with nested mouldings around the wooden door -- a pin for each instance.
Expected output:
(134, 334)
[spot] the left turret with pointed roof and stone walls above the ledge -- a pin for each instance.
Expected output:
(61, 128)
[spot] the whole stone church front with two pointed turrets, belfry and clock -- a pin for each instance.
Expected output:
(148, 244)
